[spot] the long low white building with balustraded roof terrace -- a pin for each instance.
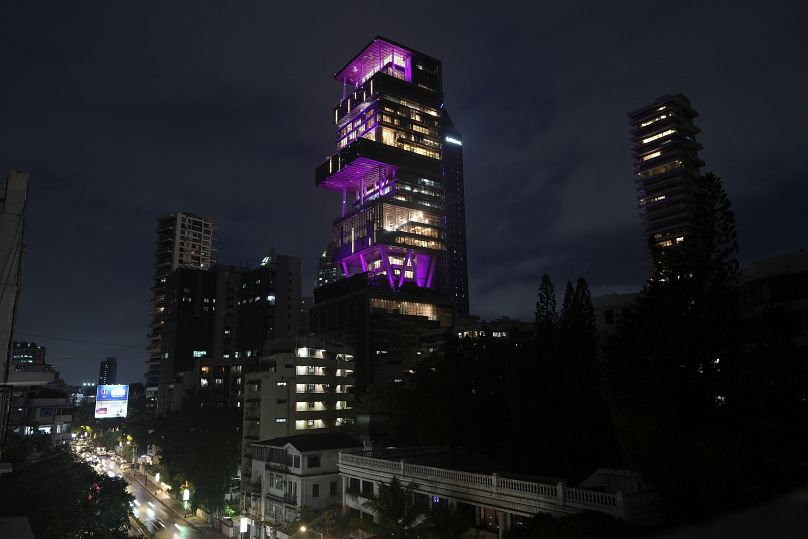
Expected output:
(491, 501)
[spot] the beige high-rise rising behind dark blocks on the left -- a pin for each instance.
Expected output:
(184, 240)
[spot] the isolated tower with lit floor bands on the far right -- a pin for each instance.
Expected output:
(667, 167)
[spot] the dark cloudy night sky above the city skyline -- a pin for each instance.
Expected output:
(224, 109)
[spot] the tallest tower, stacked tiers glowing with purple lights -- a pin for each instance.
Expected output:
(391, 235)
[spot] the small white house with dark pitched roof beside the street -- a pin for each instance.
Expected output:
(290, 473)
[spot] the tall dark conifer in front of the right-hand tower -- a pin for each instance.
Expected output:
(663, 381)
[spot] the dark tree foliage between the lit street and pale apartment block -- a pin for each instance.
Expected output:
(201, 446)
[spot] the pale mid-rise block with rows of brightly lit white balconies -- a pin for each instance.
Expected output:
(296, 390)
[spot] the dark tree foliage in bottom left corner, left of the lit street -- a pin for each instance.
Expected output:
(62, 497)
